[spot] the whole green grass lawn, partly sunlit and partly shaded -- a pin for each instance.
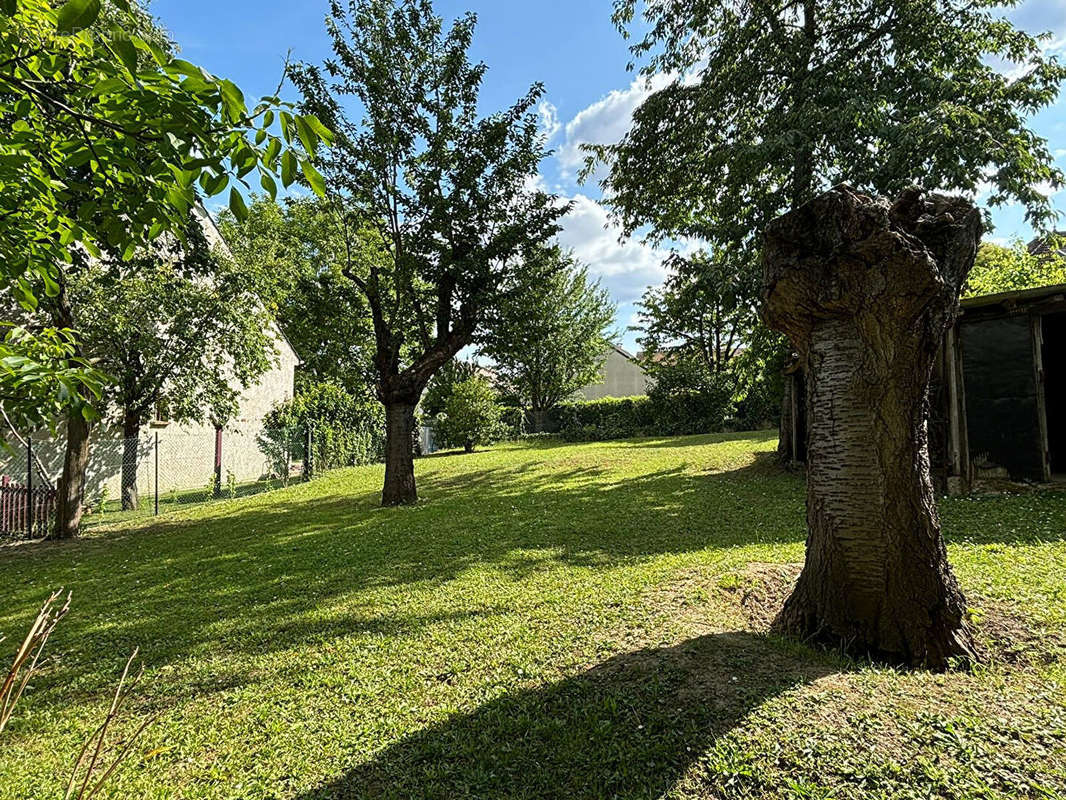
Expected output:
(571, 621)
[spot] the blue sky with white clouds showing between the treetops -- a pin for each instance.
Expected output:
(570, 46)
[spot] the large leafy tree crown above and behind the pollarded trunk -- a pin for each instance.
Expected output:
(773, 102)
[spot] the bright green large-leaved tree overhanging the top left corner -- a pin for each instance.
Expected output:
(108, 142)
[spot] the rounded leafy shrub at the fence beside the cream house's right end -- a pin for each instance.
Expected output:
(348, 430)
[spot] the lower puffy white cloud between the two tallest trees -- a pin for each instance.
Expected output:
(626, 268)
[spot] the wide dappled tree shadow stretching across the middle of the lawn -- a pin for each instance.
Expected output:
(278, 572)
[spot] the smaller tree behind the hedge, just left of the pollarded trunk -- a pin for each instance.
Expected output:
(693, 327)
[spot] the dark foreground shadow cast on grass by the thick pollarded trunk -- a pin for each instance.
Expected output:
(631, 728)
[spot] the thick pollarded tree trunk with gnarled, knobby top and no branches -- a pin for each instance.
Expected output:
(866, 290)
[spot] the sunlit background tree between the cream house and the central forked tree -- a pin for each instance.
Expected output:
(324, 315)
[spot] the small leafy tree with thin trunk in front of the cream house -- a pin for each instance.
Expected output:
(181, 328)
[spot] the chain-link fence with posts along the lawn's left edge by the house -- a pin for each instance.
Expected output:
(159, 472)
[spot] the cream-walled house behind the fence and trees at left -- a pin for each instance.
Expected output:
(187, 453)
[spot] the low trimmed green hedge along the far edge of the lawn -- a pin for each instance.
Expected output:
(677, 414)
